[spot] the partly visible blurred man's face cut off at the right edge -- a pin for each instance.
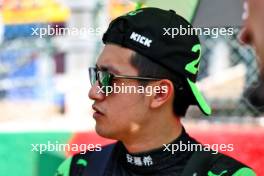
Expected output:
(252, 34)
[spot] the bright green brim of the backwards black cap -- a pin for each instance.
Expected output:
(201, 102)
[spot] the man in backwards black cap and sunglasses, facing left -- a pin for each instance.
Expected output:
(141, 50)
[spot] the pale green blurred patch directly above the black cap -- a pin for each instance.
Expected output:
(184, 8)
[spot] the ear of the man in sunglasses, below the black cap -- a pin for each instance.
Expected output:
(162, 92)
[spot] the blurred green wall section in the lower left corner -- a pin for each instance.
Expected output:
(17, 157)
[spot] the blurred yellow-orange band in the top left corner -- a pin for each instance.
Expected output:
(33, 11)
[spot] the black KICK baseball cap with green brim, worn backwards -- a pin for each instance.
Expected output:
(149, 31)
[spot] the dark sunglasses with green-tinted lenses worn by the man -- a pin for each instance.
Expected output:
(105, 78)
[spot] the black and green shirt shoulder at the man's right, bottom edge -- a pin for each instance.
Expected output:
(225, 165)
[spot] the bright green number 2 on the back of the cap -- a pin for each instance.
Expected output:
(193, 66)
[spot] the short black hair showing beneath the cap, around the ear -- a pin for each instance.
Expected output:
(148, 68)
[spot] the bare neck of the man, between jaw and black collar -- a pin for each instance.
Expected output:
(153, 137)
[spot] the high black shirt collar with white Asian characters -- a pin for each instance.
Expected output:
(159, 159)
